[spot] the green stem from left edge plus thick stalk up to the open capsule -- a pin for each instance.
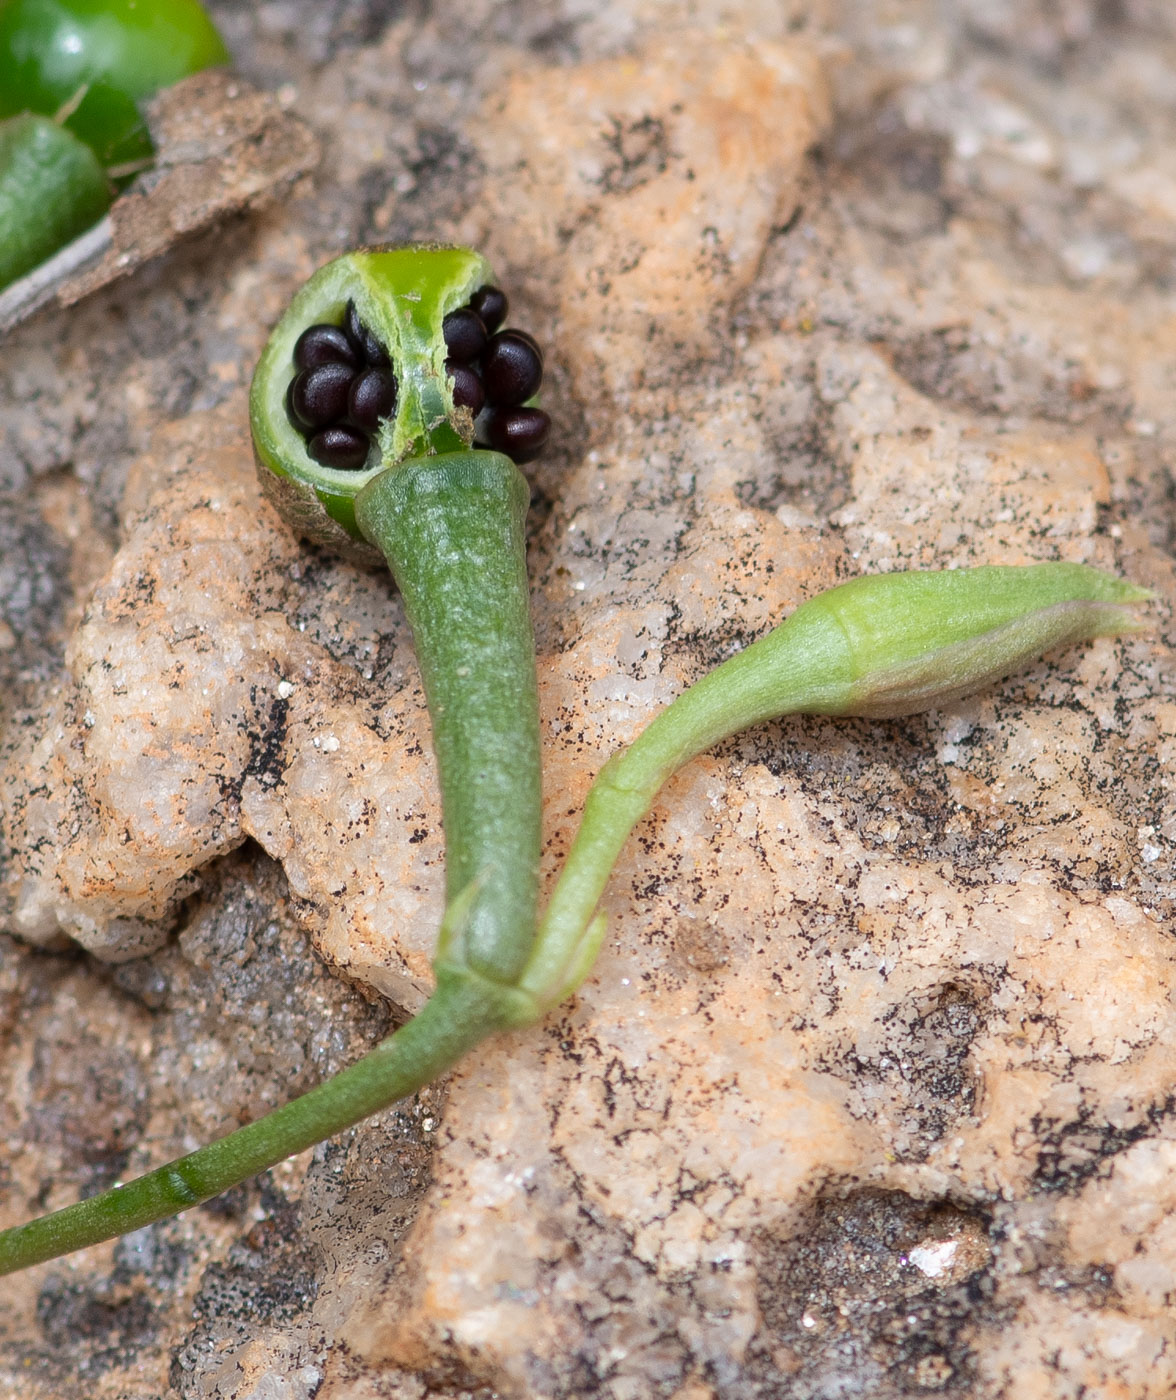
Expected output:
(453, 531)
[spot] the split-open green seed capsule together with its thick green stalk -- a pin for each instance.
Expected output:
(363, 446)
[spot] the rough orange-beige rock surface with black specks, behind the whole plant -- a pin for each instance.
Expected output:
(871, 1091)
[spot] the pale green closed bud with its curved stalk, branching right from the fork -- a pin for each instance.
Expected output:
(880, 646)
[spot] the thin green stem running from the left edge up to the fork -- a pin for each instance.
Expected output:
(461, 1013)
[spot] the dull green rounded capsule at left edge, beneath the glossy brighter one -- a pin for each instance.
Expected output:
(52, 190)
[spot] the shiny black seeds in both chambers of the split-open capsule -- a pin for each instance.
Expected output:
(345, 386)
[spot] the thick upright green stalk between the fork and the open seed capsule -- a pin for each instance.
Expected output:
(453, 530)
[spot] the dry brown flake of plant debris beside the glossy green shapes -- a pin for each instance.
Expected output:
(223, 148)
